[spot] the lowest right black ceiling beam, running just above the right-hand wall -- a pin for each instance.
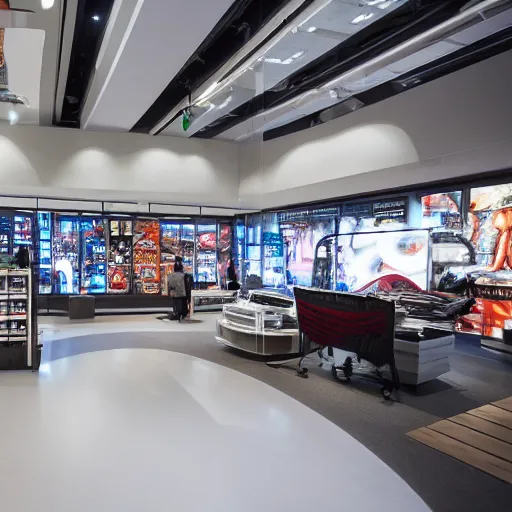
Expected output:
(460, 59)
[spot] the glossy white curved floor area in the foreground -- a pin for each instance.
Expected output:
(149, 430)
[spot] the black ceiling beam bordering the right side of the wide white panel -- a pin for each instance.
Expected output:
(242, 22)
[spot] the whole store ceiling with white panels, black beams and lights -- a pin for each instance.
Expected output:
(234, 70)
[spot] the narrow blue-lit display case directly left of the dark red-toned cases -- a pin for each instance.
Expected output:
(93, 264)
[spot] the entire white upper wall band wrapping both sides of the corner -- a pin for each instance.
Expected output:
(455, 126)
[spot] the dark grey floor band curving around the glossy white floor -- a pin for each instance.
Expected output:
(444, 483)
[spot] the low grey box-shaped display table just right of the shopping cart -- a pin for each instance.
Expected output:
(424, 360)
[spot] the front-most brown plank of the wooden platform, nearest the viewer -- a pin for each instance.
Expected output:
(485, 462)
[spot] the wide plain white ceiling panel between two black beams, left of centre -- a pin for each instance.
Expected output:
(158, 41)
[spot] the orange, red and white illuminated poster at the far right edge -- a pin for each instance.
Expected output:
(488, 277)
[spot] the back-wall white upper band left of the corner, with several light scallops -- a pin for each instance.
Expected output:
(73, 164)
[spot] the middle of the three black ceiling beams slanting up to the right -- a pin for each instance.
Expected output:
(406, 22)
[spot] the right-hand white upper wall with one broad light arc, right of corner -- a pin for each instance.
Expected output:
(454, 126)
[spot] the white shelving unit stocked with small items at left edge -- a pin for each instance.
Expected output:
(15, 319)
